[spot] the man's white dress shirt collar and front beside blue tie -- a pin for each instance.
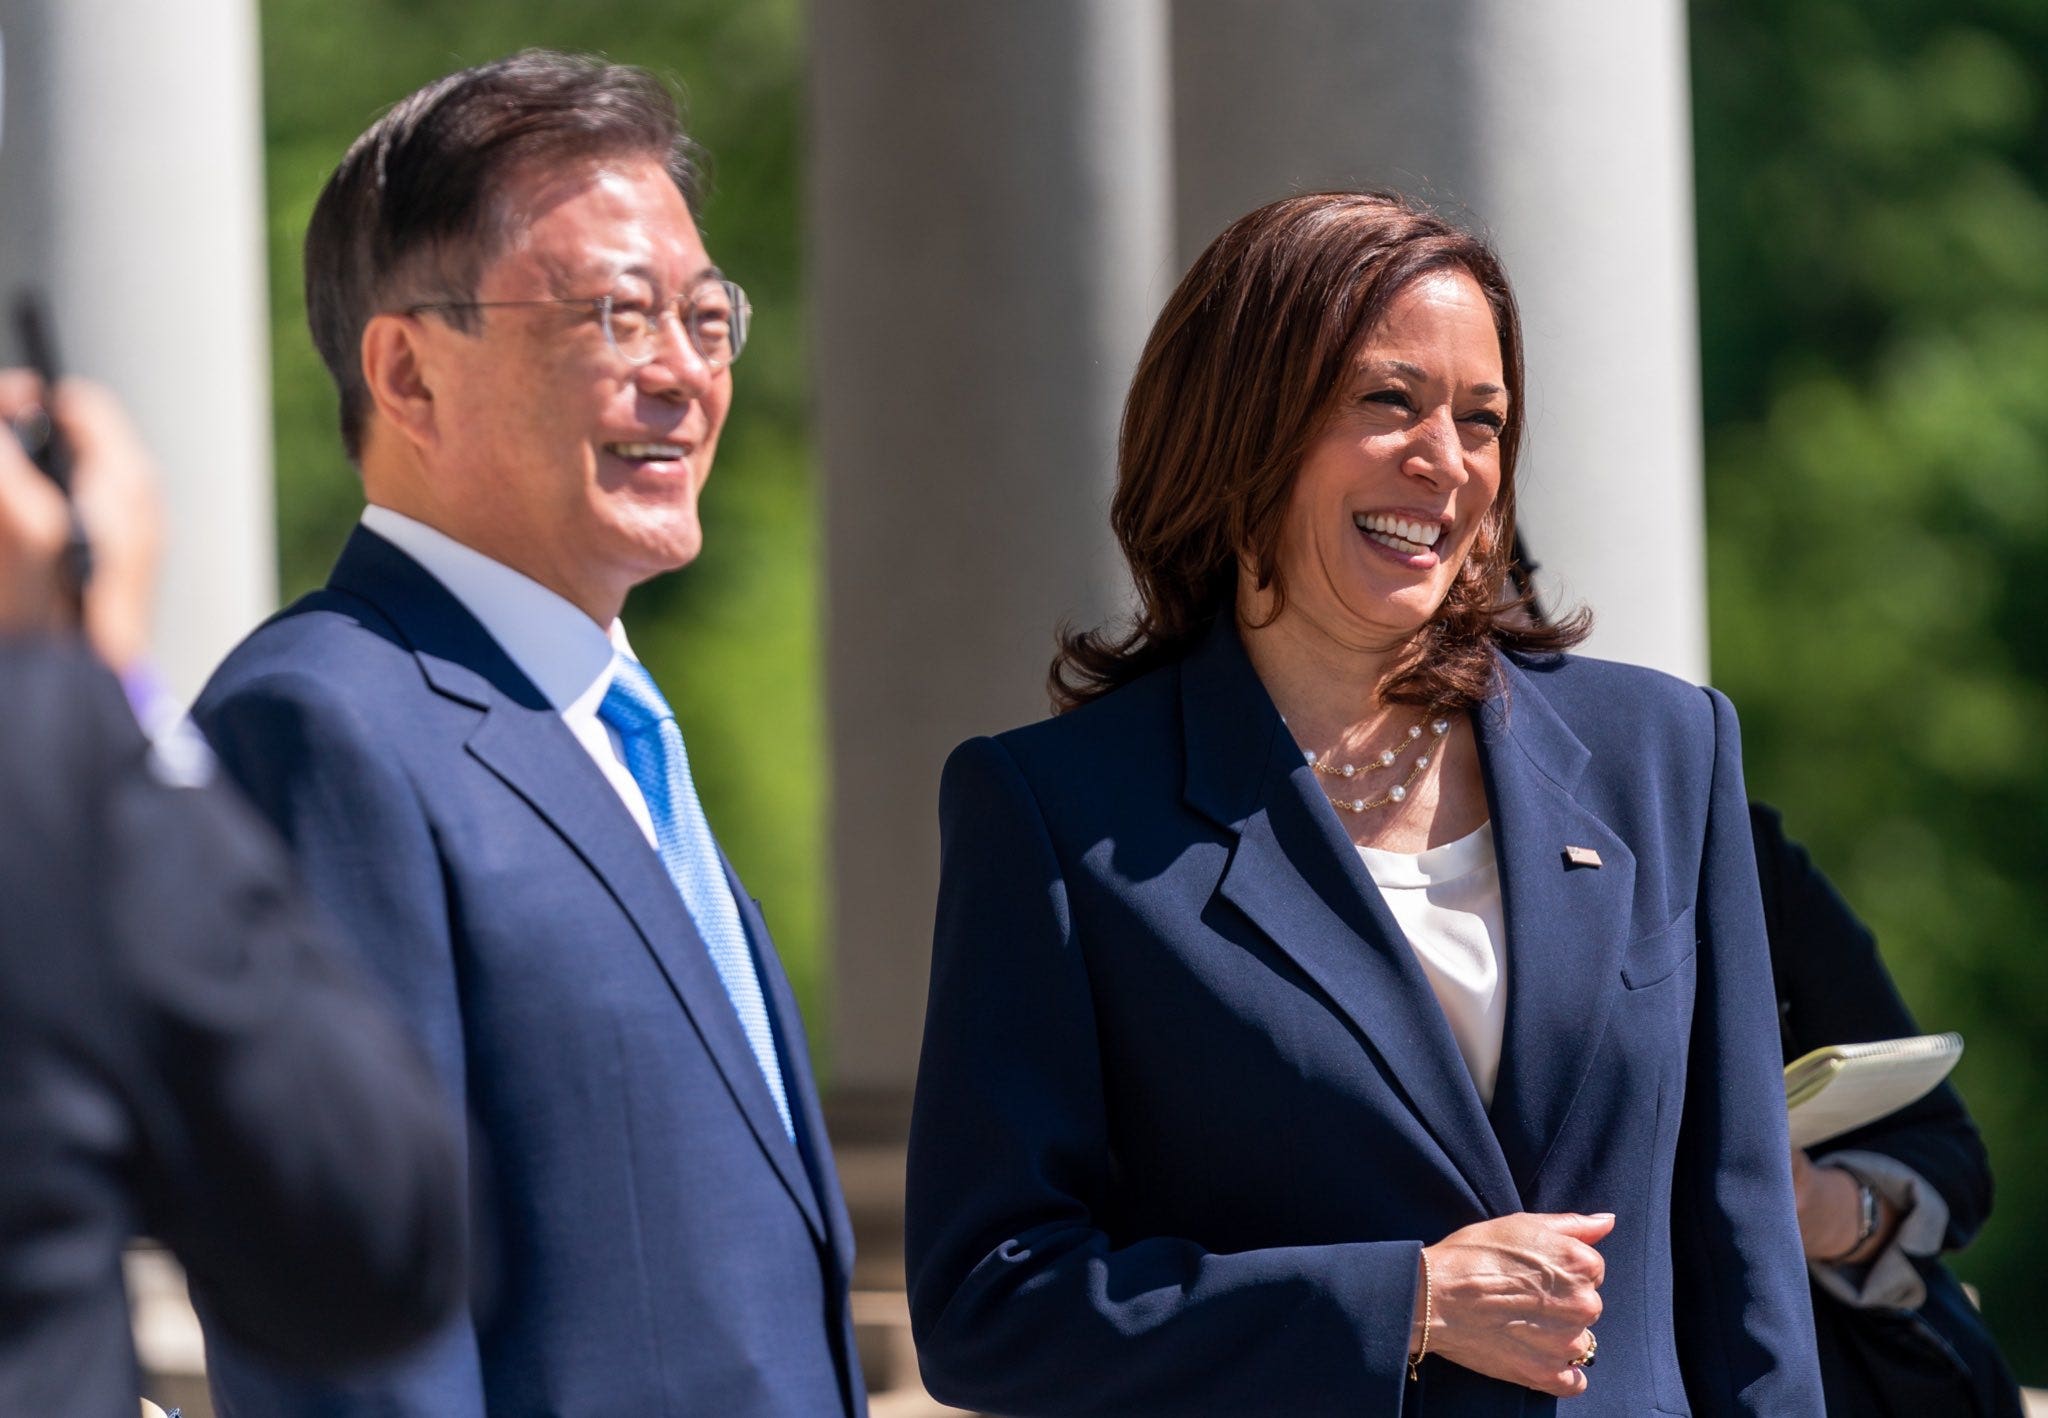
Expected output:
(564, 653)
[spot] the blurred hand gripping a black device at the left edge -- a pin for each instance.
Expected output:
(116, 493)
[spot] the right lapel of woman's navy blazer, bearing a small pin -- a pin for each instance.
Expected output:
(1566, 919)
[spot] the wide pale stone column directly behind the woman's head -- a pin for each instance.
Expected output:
(1562, 130)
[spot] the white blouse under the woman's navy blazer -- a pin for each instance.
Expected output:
(1449, 905)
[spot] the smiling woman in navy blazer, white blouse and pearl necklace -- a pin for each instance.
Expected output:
(1226, 1116)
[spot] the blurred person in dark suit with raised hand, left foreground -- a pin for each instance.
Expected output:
(179, 1054)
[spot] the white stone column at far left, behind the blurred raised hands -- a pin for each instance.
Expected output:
(132, 177)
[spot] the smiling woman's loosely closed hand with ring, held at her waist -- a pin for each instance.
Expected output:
(1517, 1296)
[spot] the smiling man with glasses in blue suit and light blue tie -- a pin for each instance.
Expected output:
(488, 792)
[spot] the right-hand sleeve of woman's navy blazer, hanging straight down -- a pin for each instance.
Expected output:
(1744, 1310)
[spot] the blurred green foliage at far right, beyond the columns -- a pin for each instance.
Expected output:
(1873, 183)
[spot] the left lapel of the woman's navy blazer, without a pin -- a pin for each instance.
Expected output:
(1299, 880)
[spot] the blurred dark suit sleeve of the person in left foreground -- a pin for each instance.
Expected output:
(200, 1042)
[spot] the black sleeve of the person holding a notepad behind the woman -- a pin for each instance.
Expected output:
(1834, 989)
